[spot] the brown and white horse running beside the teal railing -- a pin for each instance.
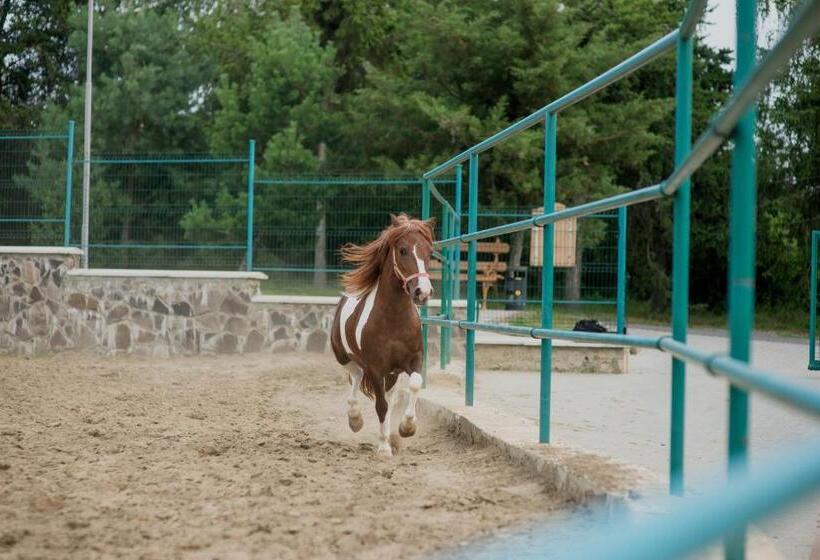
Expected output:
(376, 332)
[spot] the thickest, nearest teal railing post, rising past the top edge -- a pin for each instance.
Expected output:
(742, 210)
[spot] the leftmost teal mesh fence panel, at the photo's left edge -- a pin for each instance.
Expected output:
(33, 166)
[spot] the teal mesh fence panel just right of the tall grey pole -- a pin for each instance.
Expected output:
(177, 212)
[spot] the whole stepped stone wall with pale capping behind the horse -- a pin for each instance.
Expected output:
(48, 304)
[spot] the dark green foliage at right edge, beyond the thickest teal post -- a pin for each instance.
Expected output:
(789, 173)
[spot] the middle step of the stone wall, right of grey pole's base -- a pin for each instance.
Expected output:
(165, 313)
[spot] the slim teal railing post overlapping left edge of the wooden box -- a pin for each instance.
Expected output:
(547, 280)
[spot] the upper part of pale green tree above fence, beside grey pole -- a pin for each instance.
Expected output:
(147, 82)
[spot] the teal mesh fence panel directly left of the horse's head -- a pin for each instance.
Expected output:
(300, 223)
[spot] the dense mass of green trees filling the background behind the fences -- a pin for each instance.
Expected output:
(394, 88)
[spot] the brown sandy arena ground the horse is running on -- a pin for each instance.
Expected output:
(230, 457)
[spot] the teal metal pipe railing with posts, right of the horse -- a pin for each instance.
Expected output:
(736, 121)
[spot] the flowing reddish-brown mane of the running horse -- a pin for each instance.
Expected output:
(368, 258)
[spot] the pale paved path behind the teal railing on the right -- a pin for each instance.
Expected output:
(627, 417)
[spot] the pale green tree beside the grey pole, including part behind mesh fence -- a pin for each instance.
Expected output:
(146, 100)
